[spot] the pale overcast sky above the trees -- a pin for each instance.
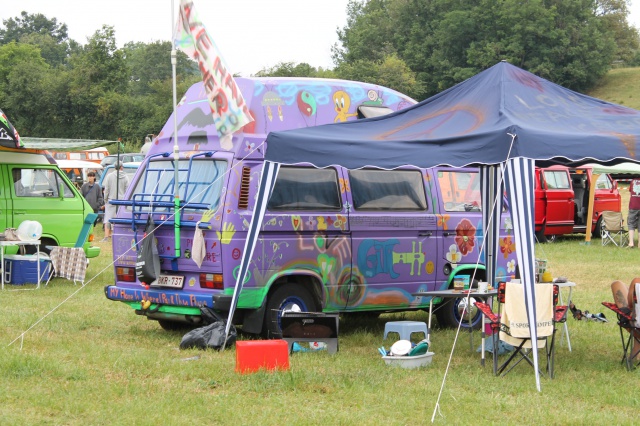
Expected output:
(251, 34)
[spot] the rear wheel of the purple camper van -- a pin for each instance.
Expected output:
(289, 297)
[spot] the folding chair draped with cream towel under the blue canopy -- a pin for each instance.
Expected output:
(510, 301)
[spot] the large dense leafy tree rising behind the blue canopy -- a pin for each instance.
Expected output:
(571, 42)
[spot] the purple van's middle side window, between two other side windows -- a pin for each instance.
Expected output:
(401, 190)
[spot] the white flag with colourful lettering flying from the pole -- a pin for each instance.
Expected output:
(230, 112)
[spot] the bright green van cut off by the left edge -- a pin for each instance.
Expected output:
(33, 188)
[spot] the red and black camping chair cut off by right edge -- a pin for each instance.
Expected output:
(629, 320)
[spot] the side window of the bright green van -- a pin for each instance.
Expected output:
(39, 183)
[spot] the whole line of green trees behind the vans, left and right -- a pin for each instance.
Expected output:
(52, 86)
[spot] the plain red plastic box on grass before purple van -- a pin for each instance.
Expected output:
(253, 355)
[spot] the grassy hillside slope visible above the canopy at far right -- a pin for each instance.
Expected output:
(620, 86)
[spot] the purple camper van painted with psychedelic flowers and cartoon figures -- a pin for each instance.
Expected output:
(332, 240)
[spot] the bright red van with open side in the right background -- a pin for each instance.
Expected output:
(562, 201)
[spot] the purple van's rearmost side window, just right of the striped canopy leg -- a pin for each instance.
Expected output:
(305, 188)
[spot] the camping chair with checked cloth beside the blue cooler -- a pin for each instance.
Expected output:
(71, 262)
